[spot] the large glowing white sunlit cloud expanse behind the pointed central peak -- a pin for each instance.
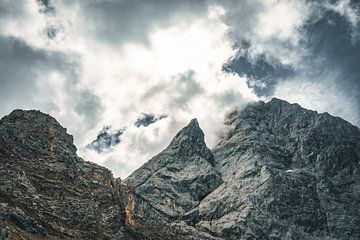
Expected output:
(175, 70)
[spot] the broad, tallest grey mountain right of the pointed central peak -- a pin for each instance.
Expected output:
(275, 145)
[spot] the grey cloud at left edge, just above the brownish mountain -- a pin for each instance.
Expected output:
(22, 68)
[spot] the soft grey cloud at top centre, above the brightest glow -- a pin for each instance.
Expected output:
(116, 22)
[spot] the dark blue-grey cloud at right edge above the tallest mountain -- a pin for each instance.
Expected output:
(334, 48)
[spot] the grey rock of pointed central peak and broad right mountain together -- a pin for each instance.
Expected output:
(286, 173)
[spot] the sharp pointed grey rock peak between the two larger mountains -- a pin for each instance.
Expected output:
(176, 180)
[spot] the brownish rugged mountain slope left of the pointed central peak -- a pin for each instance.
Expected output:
(48, 192)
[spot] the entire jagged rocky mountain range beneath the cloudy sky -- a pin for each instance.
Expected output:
(278, 172)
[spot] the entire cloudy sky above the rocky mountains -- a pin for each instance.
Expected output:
(124, 76)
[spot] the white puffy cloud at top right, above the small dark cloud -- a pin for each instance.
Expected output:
(272, 27)
